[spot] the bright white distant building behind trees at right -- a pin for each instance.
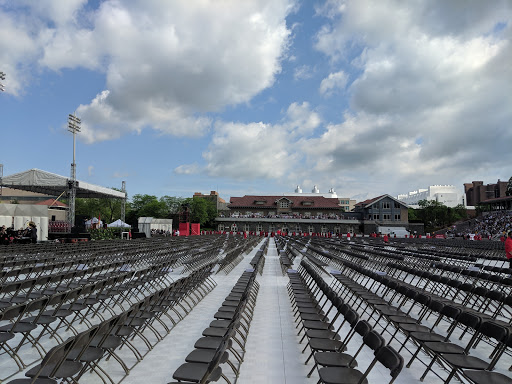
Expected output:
(449, 195)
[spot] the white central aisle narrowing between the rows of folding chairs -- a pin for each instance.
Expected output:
(273, 353)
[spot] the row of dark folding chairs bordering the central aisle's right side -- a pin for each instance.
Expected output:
(312, 301)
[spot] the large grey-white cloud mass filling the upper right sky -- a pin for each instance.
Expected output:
(430, 97)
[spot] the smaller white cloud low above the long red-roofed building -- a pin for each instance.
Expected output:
(258, 150)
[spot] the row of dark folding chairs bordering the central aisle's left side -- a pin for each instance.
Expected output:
(231, 325)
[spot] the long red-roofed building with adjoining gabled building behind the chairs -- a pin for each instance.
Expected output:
(299, 214)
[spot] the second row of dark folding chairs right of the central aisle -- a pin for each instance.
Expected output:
(379, 295)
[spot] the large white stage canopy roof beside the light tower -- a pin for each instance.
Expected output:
(35, 180)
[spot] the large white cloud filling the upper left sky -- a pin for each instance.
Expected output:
(167, 64)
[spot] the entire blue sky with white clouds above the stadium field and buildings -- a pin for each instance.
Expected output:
(368, 97)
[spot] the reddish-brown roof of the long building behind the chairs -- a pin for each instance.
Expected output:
(249, 201)
